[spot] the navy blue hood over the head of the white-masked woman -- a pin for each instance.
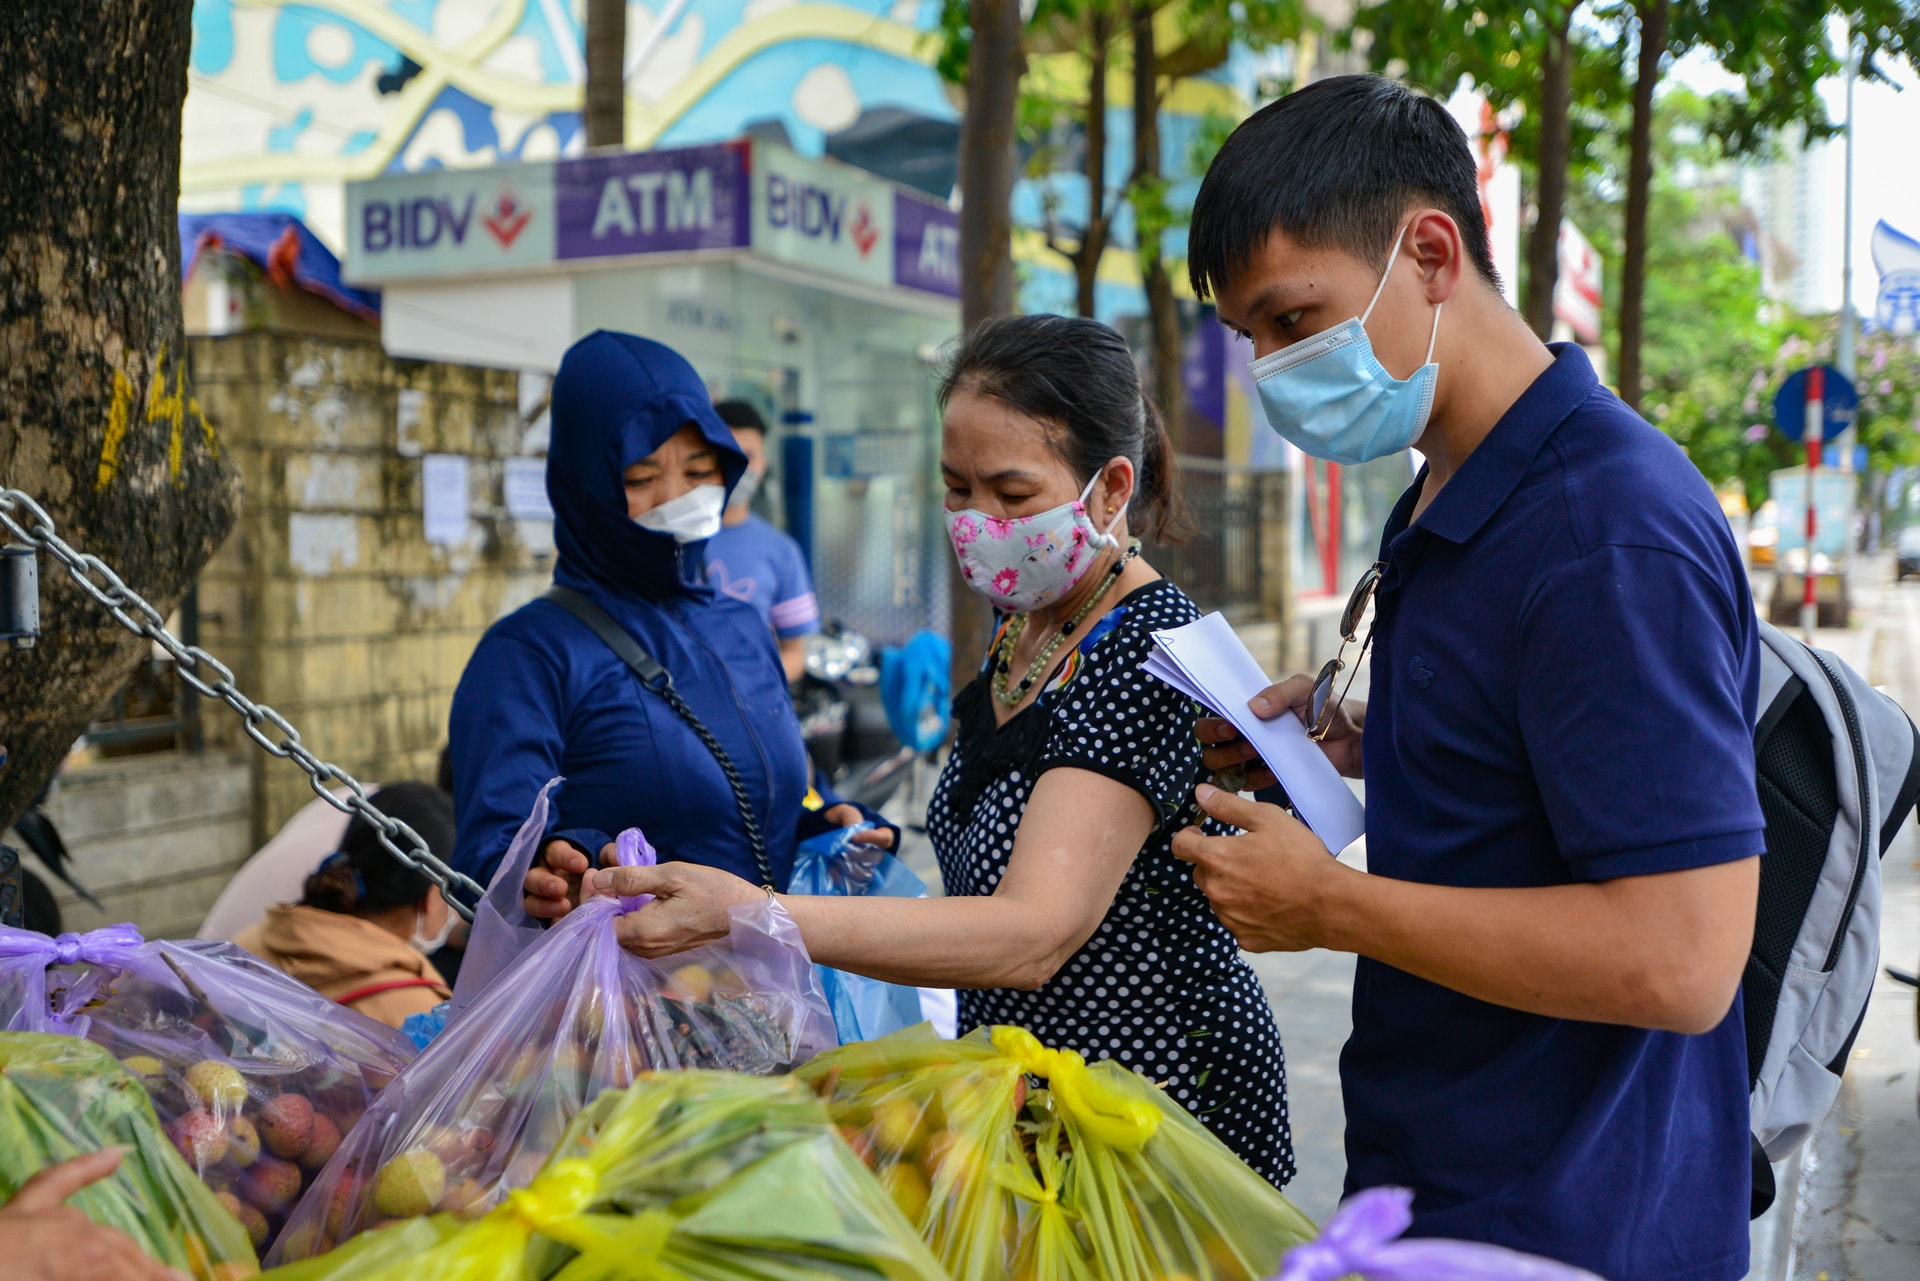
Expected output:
(617, 399)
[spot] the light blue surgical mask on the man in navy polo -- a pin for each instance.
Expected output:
(1332, 399)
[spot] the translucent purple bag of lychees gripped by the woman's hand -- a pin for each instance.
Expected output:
(571, 1017)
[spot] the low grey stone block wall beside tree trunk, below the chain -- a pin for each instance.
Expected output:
(155, 838)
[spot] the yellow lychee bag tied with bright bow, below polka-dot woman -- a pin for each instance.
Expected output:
(1097, 1176)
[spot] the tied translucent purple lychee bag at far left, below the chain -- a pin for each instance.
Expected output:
(254, 1075)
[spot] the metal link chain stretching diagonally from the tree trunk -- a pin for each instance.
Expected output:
(264, 725)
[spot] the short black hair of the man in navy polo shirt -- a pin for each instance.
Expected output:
(1335, 166)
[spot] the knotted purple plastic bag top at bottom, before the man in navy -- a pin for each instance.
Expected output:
(1362, 1242)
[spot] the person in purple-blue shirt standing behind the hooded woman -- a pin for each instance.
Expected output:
(756, 564)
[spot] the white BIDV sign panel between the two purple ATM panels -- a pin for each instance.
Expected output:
(823, 216)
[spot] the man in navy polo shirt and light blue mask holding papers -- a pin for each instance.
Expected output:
(1562, 817)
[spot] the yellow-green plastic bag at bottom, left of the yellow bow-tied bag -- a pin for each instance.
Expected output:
(686, 1176)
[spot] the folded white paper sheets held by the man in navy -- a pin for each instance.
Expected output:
(1209, 664)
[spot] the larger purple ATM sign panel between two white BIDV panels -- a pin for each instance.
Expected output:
(654, 203)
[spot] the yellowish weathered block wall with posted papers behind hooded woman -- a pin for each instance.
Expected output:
(327, 600)
